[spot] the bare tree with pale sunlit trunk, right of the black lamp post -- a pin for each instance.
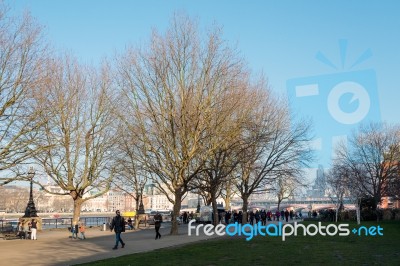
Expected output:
(78, 129)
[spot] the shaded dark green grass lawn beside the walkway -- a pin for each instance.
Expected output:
(299, 250)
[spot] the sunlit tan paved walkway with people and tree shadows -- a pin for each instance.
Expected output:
(56, 248)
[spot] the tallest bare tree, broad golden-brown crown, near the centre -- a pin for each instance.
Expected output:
(174, 88)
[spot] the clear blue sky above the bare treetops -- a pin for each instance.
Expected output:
(278, 38)
